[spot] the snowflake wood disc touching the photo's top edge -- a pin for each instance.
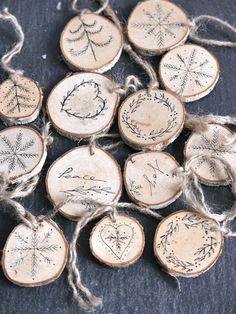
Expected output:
(157, 26)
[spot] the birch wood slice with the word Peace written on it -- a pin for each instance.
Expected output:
(79, 174)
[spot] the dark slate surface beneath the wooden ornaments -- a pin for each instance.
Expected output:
(143, 287)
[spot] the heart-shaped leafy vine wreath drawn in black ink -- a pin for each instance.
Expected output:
(81, 108)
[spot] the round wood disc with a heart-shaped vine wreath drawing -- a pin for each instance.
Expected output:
(81, 105)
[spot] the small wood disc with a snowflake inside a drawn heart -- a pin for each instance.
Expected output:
(117, 243)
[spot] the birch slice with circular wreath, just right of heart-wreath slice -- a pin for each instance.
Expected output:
(151, 120)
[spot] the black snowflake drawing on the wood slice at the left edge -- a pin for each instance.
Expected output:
(16, 153)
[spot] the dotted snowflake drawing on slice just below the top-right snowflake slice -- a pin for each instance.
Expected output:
(189, 72)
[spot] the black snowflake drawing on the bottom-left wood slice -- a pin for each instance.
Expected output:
(33, 249)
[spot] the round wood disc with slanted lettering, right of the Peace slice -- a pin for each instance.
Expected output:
(150, 180)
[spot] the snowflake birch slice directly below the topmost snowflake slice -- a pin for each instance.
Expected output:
(189, 71)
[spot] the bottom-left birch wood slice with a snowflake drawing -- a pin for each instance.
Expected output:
(35, 257)
